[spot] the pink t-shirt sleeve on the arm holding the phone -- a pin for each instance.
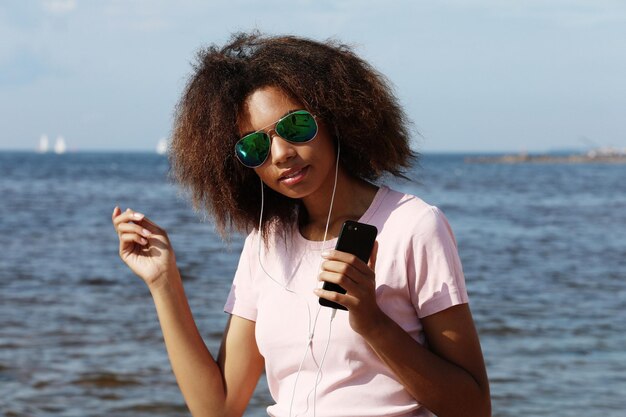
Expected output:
(437, 280)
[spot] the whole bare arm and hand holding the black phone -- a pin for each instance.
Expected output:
(448, 378)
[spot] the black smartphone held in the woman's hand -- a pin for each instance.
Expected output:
(355, 238)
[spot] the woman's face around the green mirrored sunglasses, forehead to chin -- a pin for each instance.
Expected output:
(296, 170)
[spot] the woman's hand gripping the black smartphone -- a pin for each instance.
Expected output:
(358, 279)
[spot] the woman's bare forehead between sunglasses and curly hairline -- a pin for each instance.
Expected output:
(265, 106)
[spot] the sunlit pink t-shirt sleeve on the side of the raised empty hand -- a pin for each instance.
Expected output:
(242, 299)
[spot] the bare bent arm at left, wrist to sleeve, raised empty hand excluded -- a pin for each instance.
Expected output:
(210, 388)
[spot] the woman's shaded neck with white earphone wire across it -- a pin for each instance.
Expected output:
(352, 198)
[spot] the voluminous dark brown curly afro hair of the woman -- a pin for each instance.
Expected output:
(352, 98)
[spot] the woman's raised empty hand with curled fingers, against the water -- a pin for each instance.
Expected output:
(144, 247)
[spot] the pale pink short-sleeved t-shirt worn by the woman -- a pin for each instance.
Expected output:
(418, 273)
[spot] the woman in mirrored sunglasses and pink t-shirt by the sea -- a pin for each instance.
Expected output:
(284, 137)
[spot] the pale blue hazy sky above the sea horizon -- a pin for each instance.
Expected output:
(473, 75)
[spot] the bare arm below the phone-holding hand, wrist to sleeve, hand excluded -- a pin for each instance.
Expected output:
(448, 378)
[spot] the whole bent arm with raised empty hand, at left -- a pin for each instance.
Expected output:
(210, 388)
